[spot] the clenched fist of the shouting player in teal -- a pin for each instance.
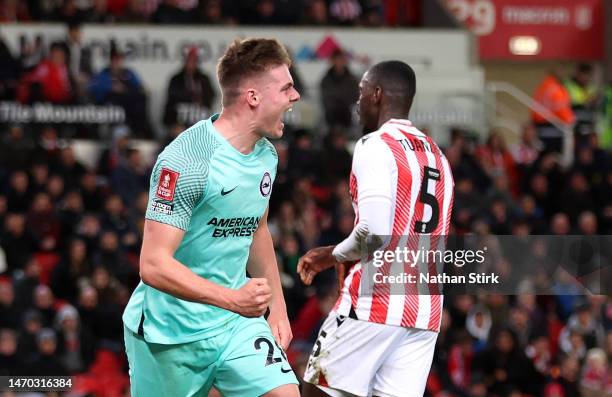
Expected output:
(252, 299)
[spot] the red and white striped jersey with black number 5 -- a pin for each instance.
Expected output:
(400, 158)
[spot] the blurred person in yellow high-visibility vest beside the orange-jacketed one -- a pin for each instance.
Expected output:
(584, 97)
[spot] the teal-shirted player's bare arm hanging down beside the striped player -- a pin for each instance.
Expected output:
(262, 263)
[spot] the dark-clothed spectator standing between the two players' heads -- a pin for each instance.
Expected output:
(339, 91)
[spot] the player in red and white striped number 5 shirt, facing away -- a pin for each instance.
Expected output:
(379, 339)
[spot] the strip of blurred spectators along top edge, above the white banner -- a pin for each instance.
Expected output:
(215, 12)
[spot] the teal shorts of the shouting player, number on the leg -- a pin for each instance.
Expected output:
(244, 361)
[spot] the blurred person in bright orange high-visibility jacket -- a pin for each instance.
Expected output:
(554, 97)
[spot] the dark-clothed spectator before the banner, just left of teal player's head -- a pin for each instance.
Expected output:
(190, 86)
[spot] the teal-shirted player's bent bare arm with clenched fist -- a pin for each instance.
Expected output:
(160, 270)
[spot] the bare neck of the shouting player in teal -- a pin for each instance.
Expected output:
(239, 132)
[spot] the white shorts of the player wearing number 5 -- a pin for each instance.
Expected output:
(359, 358)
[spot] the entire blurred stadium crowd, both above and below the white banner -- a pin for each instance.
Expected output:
(70, 234)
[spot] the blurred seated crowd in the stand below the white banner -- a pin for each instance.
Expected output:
(70, 235)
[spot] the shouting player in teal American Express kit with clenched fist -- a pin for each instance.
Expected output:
(195, 321)
